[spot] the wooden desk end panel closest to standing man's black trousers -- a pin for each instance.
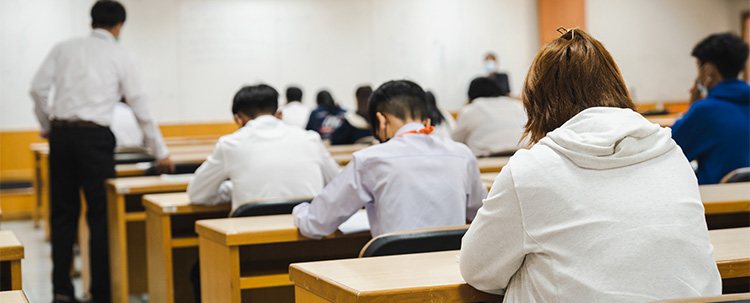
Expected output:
(118, 251)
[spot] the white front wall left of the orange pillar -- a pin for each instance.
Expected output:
(195, 54)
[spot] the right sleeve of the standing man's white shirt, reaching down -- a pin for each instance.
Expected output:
(135, 96)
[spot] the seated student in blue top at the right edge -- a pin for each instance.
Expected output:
(716, 128)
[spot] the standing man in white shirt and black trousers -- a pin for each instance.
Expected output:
(90, 75)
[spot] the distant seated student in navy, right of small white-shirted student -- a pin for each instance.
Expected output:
(327, 117)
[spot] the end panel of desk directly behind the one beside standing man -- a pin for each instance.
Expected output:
(159, 258)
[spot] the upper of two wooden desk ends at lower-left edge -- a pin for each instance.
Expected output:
(11, 253)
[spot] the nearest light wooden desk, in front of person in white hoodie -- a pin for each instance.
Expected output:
(416, 277)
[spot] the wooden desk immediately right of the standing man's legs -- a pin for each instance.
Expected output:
(126, 219)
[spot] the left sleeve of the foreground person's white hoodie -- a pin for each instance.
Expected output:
(493, 248)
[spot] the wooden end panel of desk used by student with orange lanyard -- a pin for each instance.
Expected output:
(220, 272)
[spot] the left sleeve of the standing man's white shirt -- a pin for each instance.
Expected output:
(41, 86)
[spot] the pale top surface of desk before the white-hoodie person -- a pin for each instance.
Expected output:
(431, 272)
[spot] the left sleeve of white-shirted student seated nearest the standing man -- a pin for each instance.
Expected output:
(204, 188)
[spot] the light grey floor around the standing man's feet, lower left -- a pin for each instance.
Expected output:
(36, 266)
